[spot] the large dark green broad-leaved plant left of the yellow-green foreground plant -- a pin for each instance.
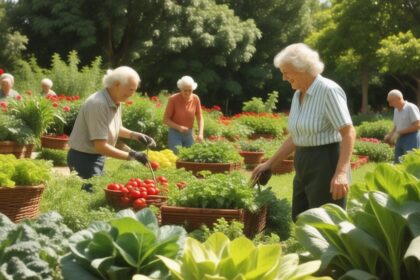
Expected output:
(126, 245)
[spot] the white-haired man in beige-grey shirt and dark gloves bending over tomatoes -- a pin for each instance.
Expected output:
(98, 125)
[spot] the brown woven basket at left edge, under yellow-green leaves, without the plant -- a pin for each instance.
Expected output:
(20, 202)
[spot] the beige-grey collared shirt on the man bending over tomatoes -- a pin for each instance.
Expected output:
(99, 118)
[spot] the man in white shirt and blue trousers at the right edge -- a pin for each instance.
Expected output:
(405, 134)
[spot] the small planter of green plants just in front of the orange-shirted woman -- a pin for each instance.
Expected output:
(213, 156)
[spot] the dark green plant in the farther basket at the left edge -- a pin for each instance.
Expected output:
(13, 129)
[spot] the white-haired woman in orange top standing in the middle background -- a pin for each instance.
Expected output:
(179, 115)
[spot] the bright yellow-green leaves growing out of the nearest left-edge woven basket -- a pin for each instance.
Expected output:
(23, 172)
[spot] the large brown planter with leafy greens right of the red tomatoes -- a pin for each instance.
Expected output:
(218, 195)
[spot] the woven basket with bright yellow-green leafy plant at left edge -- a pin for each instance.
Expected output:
(21, 186)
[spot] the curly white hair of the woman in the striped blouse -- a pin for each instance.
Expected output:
(301, 57)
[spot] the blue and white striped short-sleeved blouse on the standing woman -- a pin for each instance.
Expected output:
(321, 115)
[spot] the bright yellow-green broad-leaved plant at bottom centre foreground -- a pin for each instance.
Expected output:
(238, 259)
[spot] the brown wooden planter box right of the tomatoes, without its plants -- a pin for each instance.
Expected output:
(193, 218)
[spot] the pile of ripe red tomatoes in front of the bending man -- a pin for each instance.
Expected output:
(136, 192)
